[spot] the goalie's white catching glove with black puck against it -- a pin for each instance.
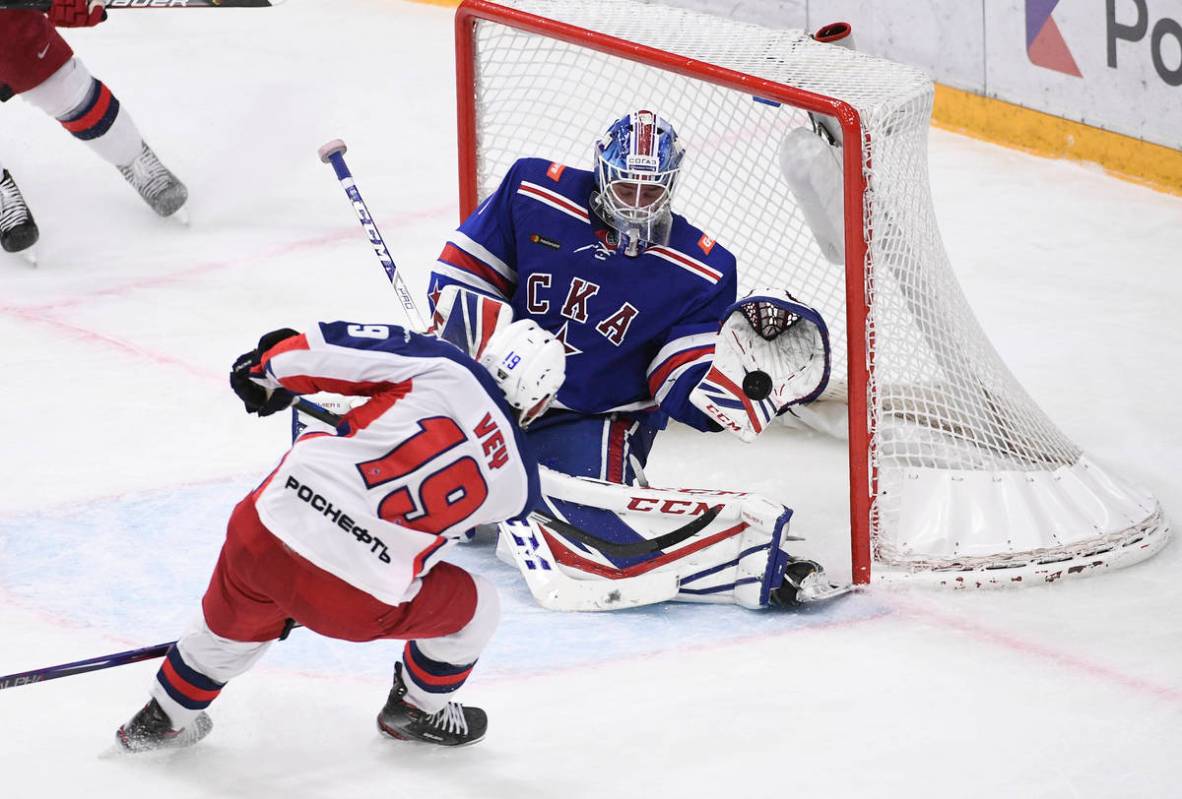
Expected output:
(772, 353)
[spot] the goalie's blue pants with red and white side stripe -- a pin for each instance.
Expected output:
(614, 447)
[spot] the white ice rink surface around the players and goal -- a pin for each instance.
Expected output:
(125, 451)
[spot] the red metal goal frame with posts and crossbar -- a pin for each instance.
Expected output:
(859, 277)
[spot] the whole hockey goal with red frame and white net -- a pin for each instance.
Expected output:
(957, 477)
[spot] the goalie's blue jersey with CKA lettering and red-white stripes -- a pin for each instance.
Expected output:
(639, 332)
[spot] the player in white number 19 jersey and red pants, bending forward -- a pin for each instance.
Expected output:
(346, 537)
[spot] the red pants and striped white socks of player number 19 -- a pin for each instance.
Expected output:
(259, 584)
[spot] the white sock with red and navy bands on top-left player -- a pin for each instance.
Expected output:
(90, 112)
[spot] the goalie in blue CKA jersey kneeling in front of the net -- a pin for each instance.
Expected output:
(645, 304)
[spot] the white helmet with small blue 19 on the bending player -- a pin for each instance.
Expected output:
(529, 366)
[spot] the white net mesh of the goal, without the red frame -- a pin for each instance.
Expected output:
(941, 401)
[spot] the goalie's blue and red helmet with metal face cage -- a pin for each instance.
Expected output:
(637, 165)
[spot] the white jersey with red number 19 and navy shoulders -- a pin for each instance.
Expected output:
(433, 453)
